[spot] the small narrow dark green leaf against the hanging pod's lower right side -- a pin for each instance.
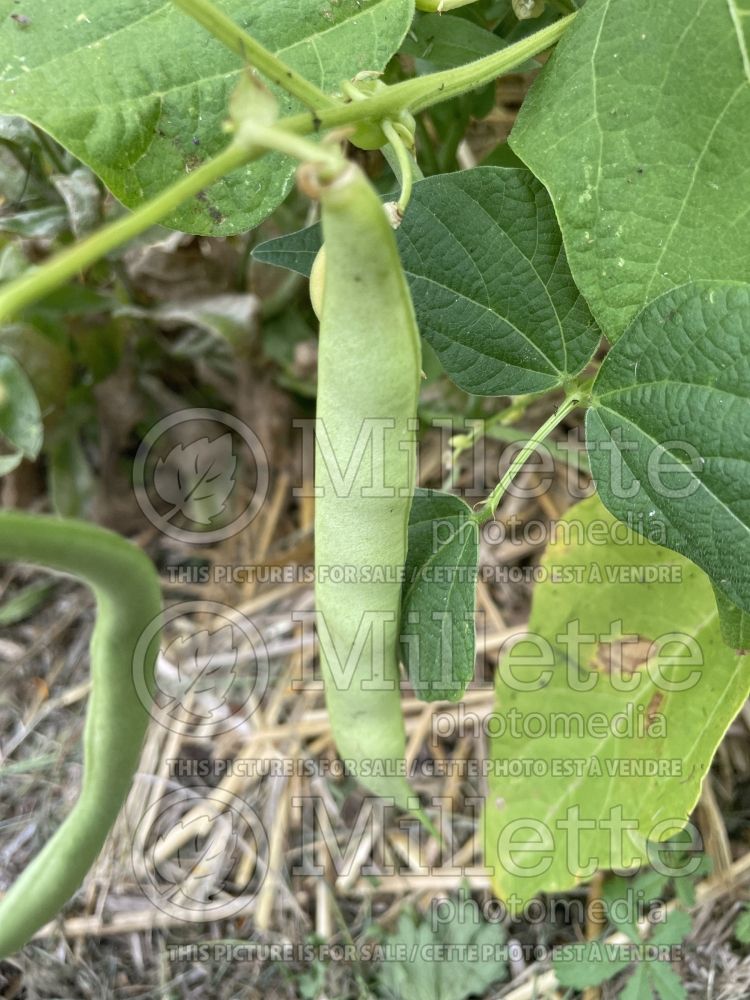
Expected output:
(438, 596)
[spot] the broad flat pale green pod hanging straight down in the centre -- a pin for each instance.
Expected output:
(369, 367)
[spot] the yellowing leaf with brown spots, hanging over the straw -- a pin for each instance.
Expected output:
(608, 712)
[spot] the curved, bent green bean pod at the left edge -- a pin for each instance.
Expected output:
(126, 588)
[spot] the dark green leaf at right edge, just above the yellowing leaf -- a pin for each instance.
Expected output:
(669, 427)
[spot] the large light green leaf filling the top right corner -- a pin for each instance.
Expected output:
(638, 129)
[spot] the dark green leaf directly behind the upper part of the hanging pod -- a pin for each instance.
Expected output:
(491, 287)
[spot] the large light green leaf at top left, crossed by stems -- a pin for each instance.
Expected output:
(139, 91)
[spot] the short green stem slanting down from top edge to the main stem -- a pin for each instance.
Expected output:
(249, 49)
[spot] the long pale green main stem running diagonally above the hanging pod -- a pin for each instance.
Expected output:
(414, 95)
